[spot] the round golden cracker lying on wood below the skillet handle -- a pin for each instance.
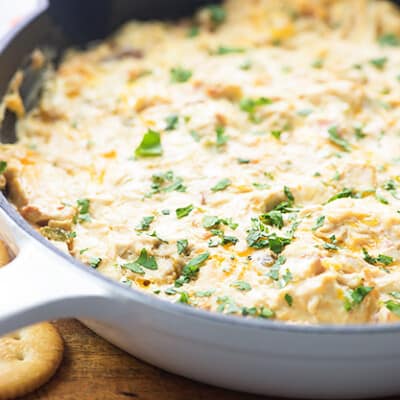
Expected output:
(28, 358)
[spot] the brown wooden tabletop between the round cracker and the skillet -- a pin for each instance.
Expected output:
(93, 369)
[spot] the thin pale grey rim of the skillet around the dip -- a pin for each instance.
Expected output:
(167, 306)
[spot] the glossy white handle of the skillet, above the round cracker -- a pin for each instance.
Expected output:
(40, 285)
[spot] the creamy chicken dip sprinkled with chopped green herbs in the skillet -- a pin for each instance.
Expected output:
(245, 161)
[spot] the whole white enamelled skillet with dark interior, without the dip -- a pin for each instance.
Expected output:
(258, 356)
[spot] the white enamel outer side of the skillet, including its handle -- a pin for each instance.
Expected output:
(270, 359)
